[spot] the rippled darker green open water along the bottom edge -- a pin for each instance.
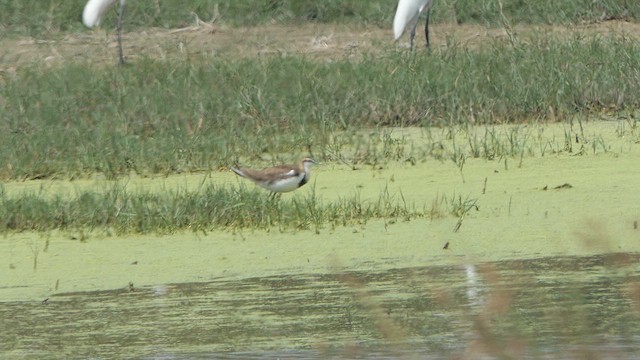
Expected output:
(543, 308)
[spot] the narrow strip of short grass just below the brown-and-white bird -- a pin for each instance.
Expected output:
(118, 211)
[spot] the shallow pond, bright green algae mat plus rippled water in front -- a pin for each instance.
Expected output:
(546, 266)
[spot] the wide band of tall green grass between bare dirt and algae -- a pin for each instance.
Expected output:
(163, 117)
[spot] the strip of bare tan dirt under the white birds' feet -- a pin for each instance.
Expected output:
(317, 41)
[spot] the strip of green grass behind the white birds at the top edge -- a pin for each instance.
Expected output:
(45, 18)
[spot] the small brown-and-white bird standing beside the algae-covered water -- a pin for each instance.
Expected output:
(281, 178)
